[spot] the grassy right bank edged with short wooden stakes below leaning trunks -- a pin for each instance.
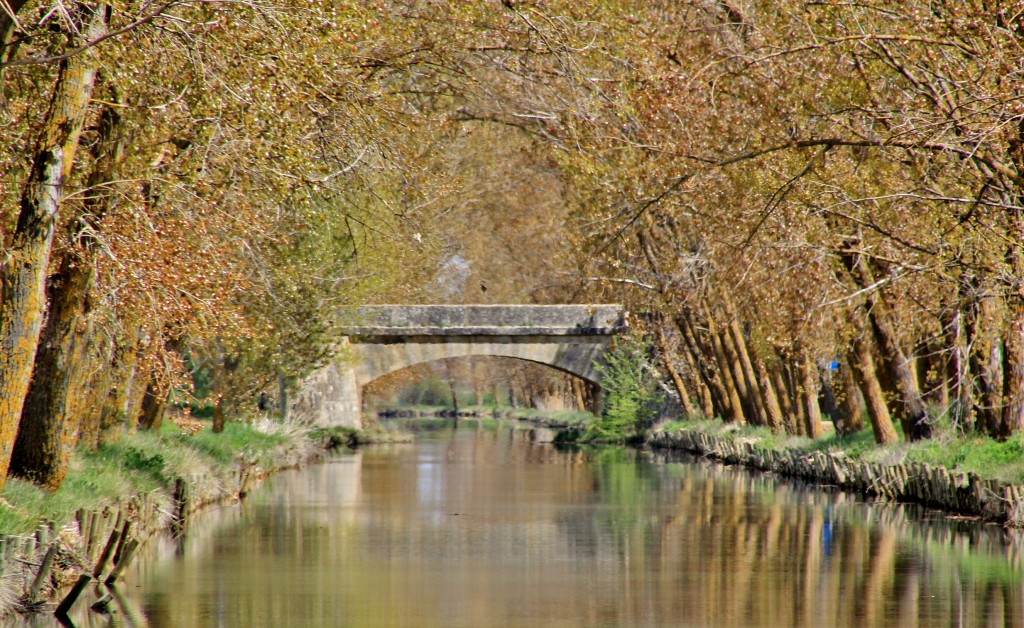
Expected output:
(957, 474)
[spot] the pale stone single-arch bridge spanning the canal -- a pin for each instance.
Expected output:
(382, 340)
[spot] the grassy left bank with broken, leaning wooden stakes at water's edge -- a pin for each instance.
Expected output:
(54, 548)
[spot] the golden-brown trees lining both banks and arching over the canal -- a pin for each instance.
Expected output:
(813, 210)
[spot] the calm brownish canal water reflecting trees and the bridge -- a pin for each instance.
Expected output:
(483, 526)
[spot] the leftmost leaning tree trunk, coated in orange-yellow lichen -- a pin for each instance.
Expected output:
(23, 277)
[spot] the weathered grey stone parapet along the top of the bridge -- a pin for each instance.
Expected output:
(378, 321)
